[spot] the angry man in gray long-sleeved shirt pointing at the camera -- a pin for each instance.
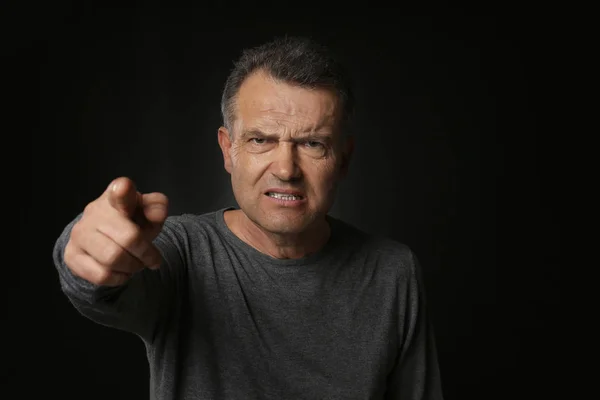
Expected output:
(275, 299)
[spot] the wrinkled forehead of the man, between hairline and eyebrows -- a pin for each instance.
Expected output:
(272, 105)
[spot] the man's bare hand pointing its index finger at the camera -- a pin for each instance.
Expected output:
(113, 239)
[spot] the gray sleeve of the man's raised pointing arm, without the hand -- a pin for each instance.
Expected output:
(143, 303)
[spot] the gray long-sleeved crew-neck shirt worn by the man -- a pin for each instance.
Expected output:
(221, 320)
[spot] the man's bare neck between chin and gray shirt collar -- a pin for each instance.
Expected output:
(281, 246)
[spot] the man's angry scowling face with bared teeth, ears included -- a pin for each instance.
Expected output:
(284, 138)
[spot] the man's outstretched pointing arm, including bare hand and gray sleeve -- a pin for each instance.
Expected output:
(120, 261)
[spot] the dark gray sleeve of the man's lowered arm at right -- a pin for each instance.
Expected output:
(416, 374)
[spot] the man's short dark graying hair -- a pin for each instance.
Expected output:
(294, 60)
